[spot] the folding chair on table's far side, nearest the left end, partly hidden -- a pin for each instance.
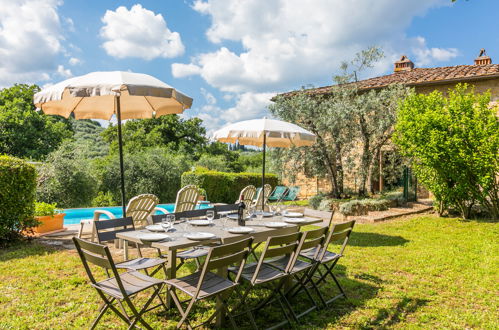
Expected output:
(122, 225)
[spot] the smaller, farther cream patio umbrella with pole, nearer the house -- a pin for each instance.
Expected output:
(265, 132)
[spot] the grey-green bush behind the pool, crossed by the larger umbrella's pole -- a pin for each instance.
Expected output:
(153, 171)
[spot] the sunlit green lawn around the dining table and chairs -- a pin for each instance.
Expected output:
(421, 272)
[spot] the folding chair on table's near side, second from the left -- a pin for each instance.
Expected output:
(262, 273)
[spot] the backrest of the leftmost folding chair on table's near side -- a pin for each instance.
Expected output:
(224, 256)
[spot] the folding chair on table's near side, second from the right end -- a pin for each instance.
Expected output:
(311, 240)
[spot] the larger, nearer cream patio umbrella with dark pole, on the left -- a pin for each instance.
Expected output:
(100, 95)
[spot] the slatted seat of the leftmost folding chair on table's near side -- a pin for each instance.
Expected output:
(212, 284)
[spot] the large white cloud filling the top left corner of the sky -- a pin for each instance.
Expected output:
(30, 40)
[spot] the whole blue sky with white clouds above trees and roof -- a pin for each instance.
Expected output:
(232, 56)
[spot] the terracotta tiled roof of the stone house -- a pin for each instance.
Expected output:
(419, 76)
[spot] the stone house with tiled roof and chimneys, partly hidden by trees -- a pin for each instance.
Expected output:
(482, 74)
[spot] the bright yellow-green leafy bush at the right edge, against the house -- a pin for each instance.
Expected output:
(453, 142)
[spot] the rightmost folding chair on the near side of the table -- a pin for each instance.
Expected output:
(340, 233)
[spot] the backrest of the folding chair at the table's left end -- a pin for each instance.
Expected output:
(99, 255)
